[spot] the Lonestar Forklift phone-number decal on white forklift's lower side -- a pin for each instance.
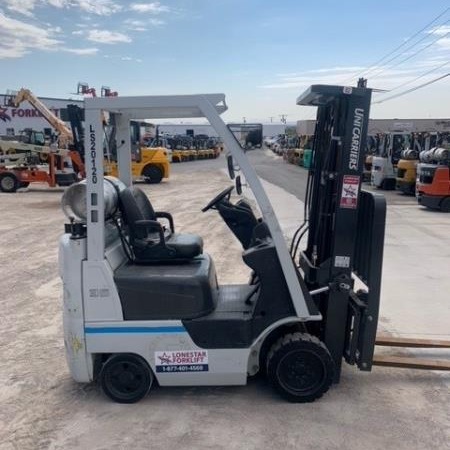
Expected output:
(182, 361)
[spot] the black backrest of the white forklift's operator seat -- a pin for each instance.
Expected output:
(135, 205)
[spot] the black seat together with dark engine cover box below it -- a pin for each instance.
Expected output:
(169, 276)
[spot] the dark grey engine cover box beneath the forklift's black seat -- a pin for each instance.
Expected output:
(167, 291)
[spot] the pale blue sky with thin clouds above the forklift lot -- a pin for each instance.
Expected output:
(262, 54)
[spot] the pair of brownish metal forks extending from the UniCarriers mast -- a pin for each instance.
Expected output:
(411, 362)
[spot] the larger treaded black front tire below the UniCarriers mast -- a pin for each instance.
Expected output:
(300, 367)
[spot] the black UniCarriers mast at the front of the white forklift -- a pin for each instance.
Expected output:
(346, 225)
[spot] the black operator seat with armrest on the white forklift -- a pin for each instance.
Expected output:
(150, 241)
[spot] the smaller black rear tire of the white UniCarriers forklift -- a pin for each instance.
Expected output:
(126, 378)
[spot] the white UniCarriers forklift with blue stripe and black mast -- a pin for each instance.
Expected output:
(142, 304)
